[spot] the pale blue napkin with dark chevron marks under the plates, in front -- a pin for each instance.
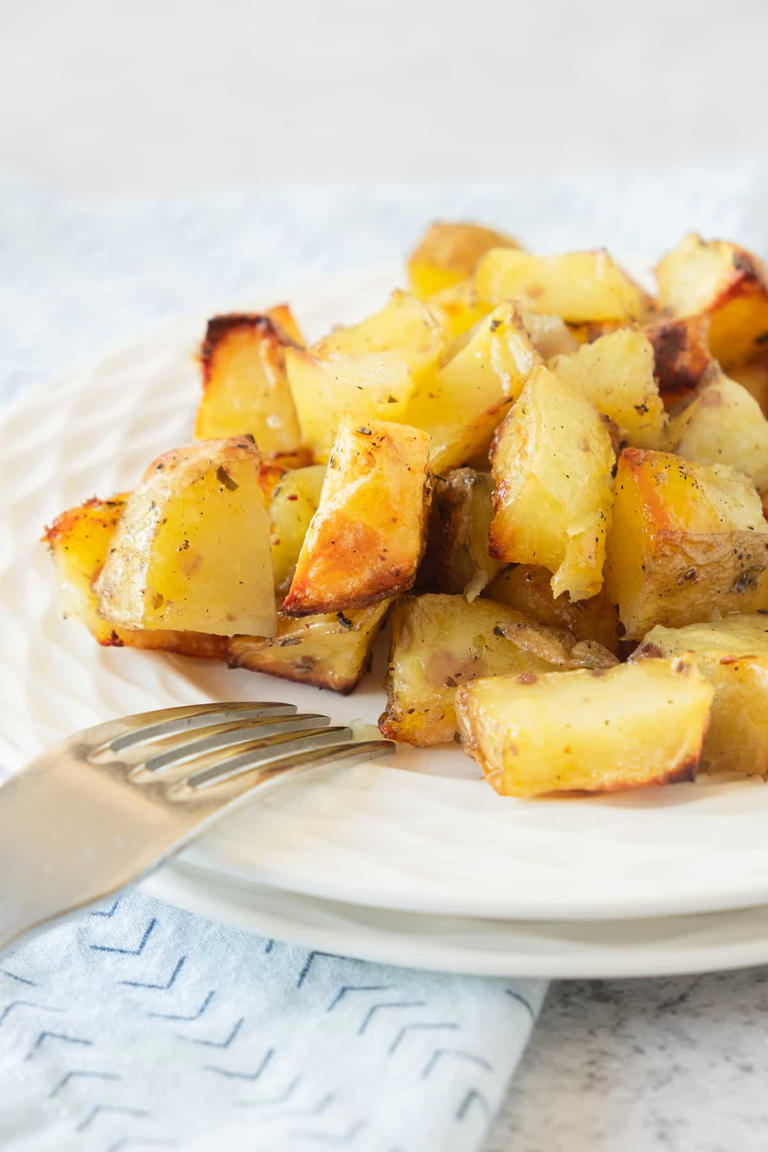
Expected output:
(141, 1027)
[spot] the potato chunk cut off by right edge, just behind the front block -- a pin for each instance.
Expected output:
(733, 655)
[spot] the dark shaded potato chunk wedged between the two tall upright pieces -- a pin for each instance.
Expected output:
(458, 558)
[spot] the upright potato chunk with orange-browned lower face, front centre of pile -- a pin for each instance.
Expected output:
(366, 541)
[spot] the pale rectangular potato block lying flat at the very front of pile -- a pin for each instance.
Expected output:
(588, 731)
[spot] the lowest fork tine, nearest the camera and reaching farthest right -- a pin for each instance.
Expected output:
(273, 767)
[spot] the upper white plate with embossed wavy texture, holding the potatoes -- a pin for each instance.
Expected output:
(421, 833)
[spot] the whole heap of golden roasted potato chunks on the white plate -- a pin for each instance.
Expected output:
(552, 484)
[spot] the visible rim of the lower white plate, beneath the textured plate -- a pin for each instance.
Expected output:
(553, 950)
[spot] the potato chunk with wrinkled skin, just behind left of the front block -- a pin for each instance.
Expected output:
(440, 642)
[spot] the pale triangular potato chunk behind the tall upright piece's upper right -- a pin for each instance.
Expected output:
(617, 375)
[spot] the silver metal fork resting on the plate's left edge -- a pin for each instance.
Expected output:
(109, 805)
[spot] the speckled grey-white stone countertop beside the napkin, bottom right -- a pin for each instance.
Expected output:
(644, 1066)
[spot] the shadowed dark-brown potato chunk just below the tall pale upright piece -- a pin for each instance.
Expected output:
(529, 589)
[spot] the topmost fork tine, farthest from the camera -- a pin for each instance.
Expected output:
(145, 726)
